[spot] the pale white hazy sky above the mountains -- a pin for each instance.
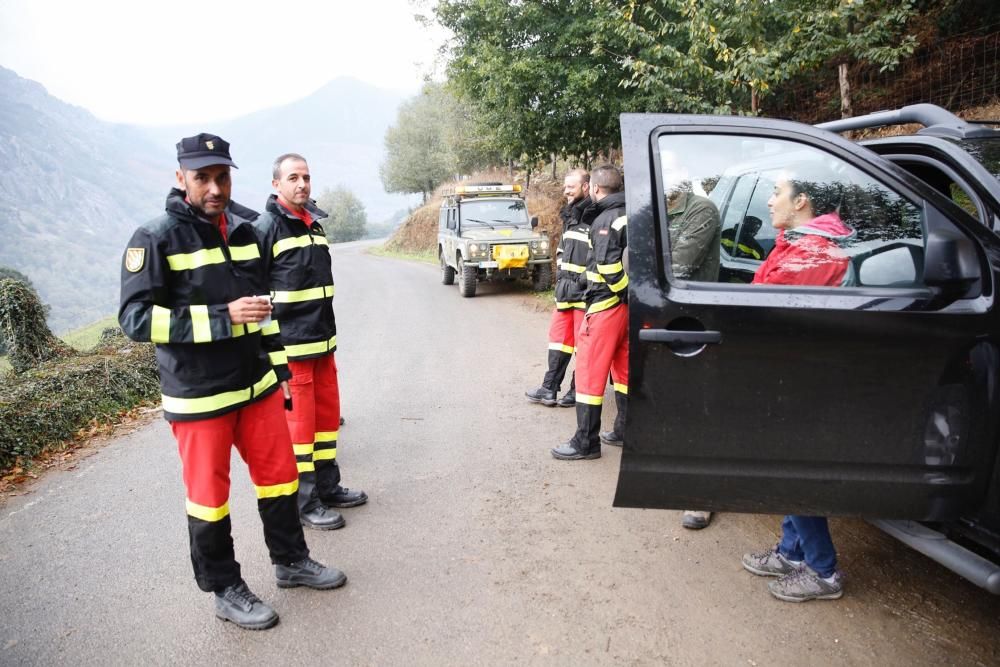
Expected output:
(154, 62)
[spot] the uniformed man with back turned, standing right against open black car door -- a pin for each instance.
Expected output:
(602, 345)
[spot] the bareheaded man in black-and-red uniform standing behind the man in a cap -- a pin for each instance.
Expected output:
(297, 263)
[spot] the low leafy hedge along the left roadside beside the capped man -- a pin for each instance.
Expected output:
(46, 405)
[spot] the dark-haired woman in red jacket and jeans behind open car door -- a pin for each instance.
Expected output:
(808, 251)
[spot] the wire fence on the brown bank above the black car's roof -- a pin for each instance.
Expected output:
(957, 73)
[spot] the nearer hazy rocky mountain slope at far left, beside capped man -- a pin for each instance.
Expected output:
(71, 189)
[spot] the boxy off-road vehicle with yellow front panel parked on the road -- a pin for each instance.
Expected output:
(484, 233)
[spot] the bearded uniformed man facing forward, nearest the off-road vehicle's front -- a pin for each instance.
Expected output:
(571, 282)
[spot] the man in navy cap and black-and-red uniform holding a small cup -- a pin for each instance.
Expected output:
(191, 281)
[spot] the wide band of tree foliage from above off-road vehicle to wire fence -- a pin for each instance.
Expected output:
(552, 76)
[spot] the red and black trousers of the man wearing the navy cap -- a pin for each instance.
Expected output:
(261, 437)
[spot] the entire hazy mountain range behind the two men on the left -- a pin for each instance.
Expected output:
(73, 188)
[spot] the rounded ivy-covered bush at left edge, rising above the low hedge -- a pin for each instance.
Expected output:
(22, 326)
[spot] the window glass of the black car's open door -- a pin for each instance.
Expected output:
(740, 208)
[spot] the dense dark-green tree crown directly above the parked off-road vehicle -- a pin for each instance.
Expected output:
(532, 72)
